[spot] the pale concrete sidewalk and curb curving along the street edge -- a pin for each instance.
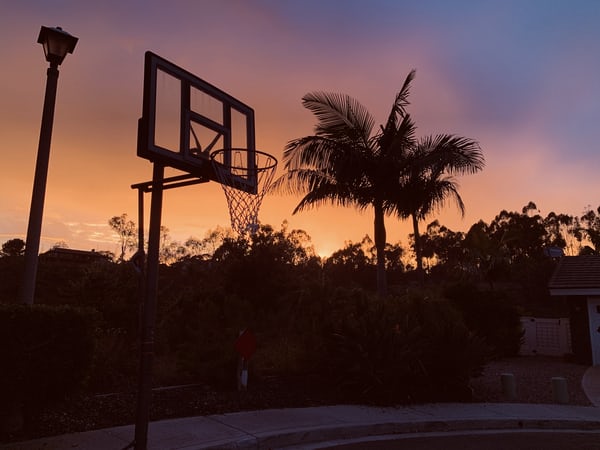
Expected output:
(305, 428)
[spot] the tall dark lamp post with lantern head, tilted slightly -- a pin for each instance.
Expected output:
(57, 43)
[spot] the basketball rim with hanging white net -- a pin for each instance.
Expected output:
(245, 180)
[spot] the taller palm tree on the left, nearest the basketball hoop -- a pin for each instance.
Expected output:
(345, 163)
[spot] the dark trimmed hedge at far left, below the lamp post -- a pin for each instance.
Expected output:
(46, 351)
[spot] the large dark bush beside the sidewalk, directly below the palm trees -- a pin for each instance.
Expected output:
(402, 350)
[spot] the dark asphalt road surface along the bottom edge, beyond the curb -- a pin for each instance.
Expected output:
(488, 440)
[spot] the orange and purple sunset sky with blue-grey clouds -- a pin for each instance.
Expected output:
(521, 77)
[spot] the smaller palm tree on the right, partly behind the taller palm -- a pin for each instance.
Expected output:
(429, 182)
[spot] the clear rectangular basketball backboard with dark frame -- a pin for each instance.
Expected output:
(185, 119)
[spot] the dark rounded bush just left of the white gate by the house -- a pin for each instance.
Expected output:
(489, 316)
